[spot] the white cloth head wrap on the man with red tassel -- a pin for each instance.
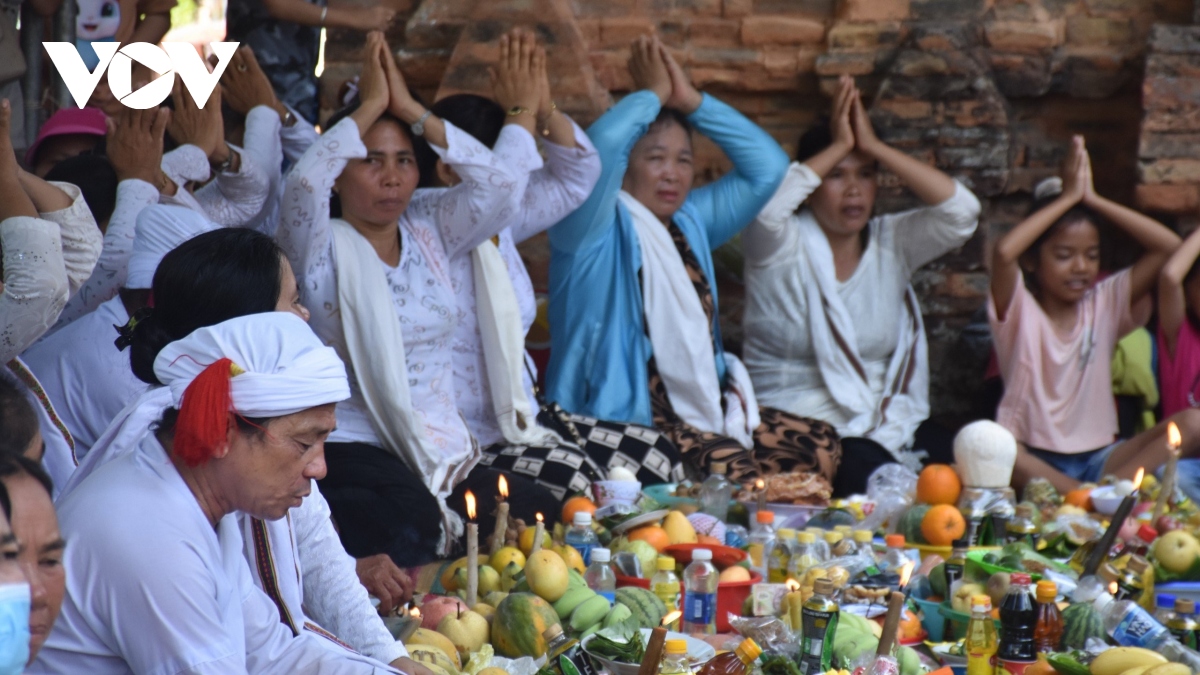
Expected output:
(286, 369)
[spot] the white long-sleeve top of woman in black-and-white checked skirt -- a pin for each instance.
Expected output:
(554, 192)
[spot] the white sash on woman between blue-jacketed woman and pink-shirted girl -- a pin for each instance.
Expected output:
(891, 419)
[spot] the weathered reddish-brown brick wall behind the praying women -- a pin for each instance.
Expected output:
(989, 91)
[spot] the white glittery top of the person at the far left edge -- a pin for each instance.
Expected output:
(46, 260)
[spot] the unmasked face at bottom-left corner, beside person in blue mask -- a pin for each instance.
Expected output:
(37, 528)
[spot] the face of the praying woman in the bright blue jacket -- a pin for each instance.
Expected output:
(661, 170)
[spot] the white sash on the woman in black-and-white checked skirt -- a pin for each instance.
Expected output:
(503, 337)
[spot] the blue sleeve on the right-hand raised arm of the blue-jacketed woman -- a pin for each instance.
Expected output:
(759, 166)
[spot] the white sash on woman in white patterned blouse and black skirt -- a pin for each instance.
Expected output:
(375, 348)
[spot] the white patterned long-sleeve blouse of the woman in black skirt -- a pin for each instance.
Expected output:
(439, 225)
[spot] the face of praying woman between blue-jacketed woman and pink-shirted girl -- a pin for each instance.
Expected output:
(845, 201)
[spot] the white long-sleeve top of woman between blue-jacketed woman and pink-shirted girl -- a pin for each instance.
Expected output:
(778, 349)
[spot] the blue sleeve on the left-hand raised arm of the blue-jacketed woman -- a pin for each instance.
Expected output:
(614, 136)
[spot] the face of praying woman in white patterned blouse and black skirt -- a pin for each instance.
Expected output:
(377, 190)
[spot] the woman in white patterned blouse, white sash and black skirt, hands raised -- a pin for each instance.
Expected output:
(377, 280)
